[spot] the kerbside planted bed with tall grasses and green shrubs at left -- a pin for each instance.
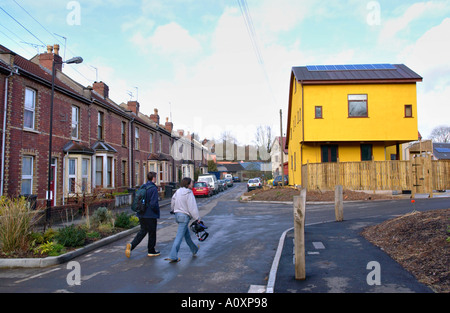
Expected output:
(20, 237)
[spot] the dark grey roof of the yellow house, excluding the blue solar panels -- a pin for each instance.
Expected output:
(399, 72)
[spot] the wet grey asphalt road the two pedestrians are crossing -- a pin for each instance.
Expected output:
(236, 257)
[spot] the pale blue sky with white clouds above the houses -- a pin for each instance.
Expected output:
(207, 70)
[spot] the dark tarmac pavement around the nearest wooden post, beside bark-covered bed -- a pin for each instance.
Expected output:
(337, 261)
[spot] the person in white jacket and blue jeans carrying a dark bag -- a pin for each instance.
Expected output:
(184, 206)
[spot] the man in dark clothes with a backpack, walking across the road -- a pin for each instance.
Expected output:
(147, 218)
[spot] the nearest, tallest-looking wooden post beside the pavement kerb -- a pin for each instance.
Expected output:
(299, 234)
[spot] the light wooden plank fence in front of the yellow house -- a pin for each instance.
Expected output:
(419, 175)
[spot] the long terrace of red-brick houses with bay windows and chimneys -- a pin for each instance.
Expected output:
(96, 143)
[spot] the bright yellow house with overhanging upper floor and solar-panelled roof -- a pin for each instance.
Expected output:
(349, 113)
